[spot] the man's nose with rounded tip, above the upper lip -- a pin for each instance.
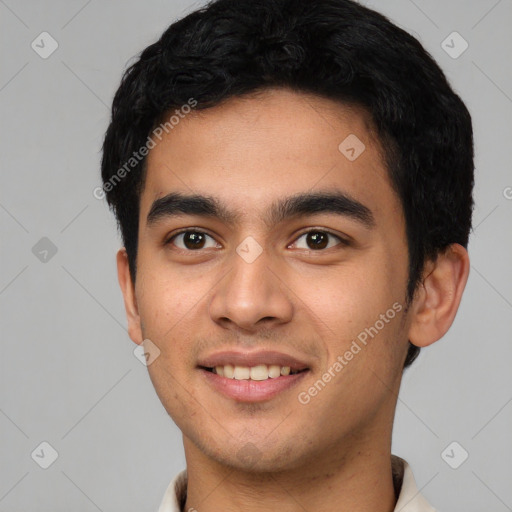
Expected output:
(252, 295)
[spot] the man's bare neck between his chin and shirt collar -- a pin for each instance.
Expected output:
(339, 481)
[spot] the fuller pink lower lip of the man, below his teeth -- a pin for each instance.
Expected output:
(252, 390)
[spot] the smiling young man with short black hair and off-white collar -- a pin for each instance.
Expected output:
(293, 184)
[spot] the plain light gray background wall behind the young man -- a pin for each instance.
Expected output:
(68, 375)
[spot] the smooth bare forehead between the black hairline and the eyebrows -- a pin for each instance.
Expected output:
(249, 151)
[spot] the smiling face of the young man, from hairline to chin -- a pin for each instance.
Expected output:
(268, 278)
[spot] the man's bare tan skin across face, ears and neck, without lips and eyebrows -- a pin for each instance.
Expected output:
(332, 453)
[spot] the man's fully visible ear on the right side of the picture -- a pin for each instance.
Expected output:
(438, 297)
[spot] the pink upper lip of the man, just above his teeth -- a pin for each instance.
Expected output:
(239, 358)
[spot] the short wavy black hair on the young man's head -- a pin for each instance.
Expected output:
(336, 49)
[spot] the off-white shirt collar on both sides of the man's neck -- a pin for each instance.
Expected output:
(409, 498)
